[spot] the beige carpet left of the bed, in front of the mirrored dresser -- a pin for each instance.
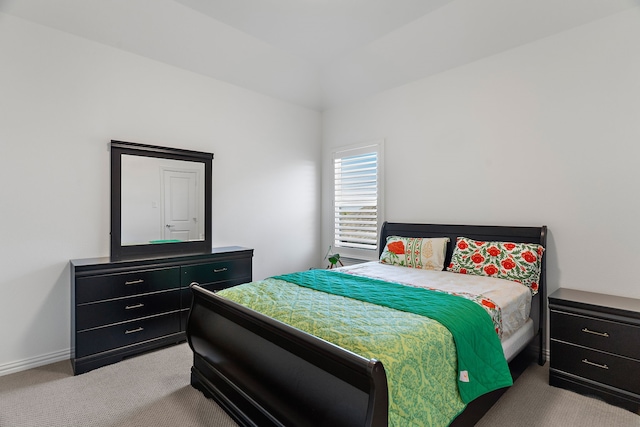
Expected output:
(148, 390)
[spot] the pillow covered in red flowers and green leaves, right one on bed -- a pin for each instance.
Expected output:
(519, 262)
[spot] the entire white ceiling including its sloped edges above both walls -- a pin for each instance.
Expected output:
(315, 53)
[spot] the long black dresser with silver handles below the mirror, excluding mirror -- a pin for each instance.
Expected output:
(123, 308)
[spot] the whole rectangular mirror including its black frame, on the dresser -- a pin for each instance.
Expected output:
(160, 200)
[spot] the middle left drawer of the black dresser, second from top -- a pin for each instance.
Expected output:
(103, 313)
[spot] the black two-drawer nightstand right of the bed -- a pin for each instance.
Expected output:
(595, 346)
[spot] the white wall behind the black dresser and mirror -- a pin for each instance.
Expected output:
(62, 99)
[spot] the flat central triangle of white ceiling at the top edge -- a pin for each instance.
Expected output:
(317, 30)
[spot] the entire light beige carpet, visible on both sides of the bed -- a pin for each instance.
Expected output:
(153, 390)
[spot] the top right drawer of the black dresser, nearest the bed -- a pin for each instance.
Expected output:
(215, 272)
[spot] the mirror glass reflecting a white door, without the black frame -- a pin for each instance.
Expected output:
(162, 200)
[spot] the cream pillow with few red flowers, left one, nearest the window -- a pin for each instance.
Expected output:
(415, 252)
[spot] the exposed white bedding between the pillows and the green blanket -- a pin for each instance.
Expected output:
(514, 299)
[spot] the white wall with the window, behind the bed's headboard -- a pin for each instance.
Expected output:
(547, 133)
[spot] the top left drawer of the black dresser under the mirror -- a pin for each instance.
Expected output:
(109, 286)
